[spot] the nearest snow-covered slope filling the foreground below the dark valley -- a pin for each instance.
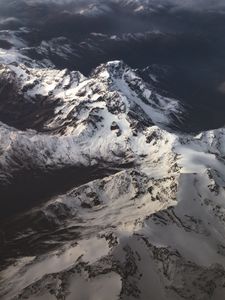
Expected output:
(153, 229)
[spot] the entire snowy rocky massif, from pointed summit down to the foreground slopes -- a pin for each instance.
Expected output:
(148, 225)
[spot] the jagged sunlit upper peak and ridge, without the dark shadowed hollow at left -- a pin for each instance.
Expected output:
(113, 89)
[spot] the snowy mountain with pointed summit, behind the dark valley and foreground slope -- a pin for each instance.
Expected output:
(63, 120)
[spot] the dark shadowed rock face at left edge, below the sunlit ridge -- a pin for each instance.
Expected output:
(19, 111)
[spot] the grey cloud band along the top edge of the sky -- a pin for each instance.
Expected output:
(124, 15)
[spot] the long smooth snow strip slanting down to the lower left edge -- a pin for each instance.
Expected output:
(31, 270)
